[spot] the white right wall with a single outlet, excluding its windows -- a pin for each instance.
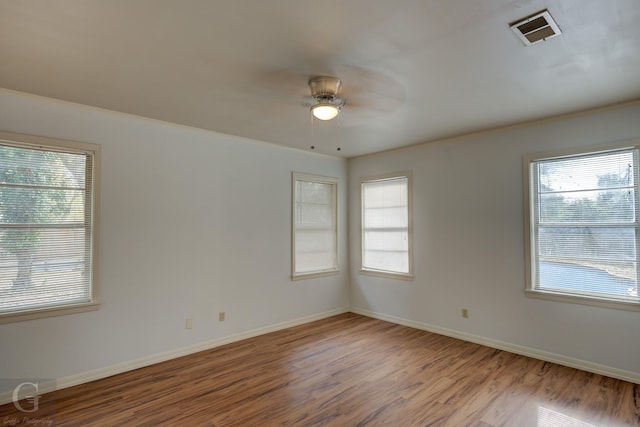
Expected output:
(469, 248)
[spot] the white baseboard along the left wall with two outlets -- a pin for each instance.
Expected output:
(107, 371)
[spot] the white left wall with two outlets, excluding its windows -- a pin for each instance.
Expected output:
(193, 223)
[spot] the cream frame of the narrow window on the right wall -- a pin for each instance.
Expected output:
(379, 272)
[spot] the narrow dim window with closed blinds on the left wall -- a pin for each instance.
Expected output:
(315, 226)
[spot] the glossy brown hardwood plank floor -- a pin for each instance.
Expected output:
(347, 370)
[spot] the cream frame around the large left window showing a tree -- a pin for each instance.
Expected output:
(65, 146)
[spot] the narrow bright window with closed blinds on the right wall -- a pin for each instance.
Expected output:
(386, 226)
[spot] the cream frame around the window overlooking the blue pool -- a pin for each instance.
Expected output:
(529, 192)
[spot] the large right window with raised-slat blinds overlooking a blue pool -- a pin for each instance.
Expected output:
(583, 233)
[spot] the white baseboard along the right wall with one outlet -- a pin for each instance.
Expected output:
(571, 362)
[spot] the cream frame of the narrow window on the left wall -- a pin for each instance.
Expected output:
(334, 182)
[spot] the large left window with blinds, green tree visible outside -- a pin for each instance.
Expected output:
(48, 226)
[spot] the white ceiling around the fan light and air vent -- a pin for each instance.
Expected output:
(412, 71)
